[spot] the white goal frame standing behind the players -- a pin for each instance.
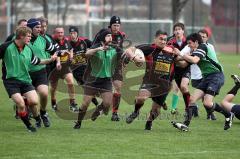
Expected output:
(137, 30)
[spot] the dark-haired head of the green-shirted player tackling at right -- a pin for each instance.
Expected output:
(194, 40)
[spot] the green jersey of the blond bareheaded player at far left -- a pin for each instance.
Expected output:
(17, 63)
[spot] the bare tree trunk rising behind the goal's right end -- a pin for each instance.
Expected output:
(177, 6)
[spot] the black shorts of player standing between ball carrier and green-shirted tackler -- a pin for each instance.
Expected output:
(182, 73)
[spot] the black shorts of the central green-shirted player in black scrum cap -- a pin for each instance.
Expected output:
(99, 85)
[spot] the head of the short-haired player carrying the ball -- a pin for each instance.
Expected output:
(160, 38)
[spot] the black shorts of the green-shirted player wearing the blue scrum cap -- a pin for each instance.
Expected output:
(39, 78)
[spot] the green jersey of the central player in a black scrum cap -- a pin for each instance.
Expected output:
(103, 63)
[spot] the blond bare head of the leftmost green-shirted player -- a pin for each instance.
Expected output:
(23, 34)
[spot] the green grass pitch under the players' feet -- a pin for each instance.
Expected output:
(106, 139)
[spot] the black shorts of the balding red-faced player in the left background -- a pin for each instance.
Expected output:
(55, 75)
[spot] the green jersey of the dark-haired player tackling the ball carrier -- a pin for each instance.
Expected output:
(208, 63)
